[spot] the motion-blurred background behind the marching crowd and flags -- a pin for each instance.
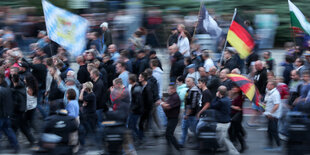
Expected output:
(270, 19)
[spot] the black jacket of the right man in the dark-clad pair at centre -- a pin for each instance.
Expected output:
(147, 98)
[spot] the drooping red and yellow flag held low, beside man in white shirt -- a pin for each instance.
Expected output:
(246, 86)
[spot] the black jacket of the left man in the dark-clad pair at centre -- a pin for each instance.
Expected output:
(136, 106)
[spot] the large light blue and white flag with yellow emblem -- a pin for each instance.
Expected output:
(65, 28)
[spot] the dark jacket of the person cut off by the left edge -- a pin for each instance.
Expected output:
(6, 102)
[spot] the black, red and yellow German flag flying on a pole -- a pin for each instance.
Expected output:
(239, 37)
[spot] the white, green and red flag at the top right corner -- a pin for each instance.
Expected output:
(298, 20)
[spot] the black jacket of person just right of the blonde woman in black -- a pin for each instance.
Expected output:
(100, 94)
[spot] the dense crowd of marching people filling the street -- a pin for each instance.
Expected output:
(126, 85)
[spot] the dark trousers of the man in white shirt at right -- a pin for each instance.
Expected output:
(273, 131)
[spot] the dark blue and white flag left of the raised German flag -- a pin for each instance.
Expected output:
(207, 25)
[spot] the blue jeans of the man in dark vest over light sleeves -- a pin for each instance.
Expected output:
(191, 123)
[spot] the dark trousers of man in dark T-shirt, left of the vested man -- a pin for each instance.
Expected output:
(171, 125)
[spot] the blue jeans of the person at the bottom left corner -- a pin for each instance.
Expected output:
(5, 127)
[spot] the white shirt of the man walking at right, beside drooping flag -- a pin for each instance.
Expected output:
(272, 98)
